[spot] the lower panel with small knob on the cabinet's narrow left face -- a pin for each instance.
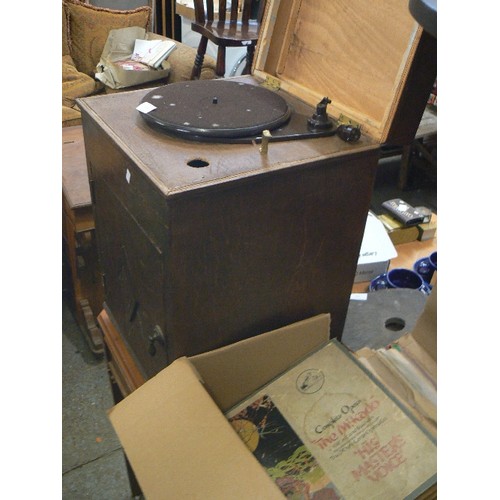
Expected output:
(133, 278)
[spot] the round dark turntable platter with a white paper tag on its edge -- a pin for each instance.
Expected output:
(223, 111)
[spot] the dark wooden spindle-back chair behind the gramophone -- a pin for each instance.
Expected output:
(241, 29)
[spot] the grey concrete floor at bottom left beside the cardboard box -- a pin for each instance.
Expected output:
(93, 464)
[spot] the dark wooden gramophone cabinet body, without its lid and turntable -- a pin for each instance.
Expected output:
(198, 257)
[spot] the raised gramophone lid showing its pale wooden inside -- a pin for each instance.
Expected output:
(358, 53)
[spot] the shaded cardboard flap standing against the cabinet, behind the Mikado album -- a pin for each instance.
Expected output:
(253, 363)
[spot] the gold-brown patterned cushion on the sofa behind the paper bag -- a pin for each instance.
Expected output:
(88, 29)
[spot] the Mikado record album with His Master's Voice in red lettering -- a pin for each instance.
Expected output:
(325, 429)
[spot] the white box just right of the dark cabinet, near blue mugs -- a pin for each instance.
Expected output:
(376, 252)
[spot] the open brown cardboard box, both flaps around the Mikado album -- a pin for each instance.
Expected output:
(173, 429)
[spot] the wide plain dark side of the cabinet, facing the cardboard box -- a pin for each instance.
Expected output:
(267, 253)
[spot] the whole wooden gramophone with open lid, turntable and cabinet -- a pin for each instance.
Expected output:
(208, 234)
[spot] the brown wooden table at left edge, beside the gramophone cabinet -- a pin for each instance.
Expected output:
(79, 237)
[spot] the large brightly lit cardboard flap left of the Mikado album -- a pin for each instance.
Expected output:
(181, 446)
